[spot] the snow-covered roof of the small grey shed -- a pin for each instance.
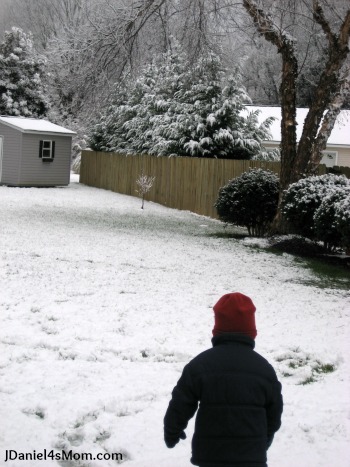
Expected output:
(35, 125)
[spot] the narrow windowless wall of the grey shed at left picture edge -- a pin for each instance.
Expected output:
(12, 148)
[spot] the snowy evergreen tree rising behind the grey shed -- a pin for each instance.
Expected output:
(21, 70)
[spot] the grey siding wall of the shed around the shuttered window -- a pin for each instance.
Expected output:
(34, 171)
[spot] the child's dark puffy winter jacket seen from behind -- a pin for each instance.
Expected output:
(240, 404)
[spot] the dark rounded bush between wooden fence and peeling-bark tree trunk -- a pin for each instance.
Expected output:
(250, 200)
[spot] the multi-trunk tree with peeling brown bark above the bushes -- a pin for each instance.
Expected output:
(331, 89)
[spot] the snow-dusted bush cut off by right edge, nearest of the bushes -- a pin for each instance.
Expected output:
(325, 223)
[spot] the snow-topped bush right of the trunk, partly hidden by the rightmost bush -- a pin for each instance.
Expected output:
(303, 198)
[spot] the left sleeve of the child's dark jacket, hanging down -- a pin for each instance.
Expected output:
(182, 407)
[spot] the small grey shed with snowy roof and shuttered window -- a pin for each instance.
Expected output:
(34, 152)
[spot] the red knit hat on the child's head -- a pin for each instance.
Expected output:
(234, 312)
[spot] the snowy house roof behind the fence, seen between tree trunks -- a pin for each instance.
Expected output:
(340, 135)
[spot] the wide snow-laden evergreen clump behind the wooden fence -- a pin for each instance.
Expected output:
(176, 107)
